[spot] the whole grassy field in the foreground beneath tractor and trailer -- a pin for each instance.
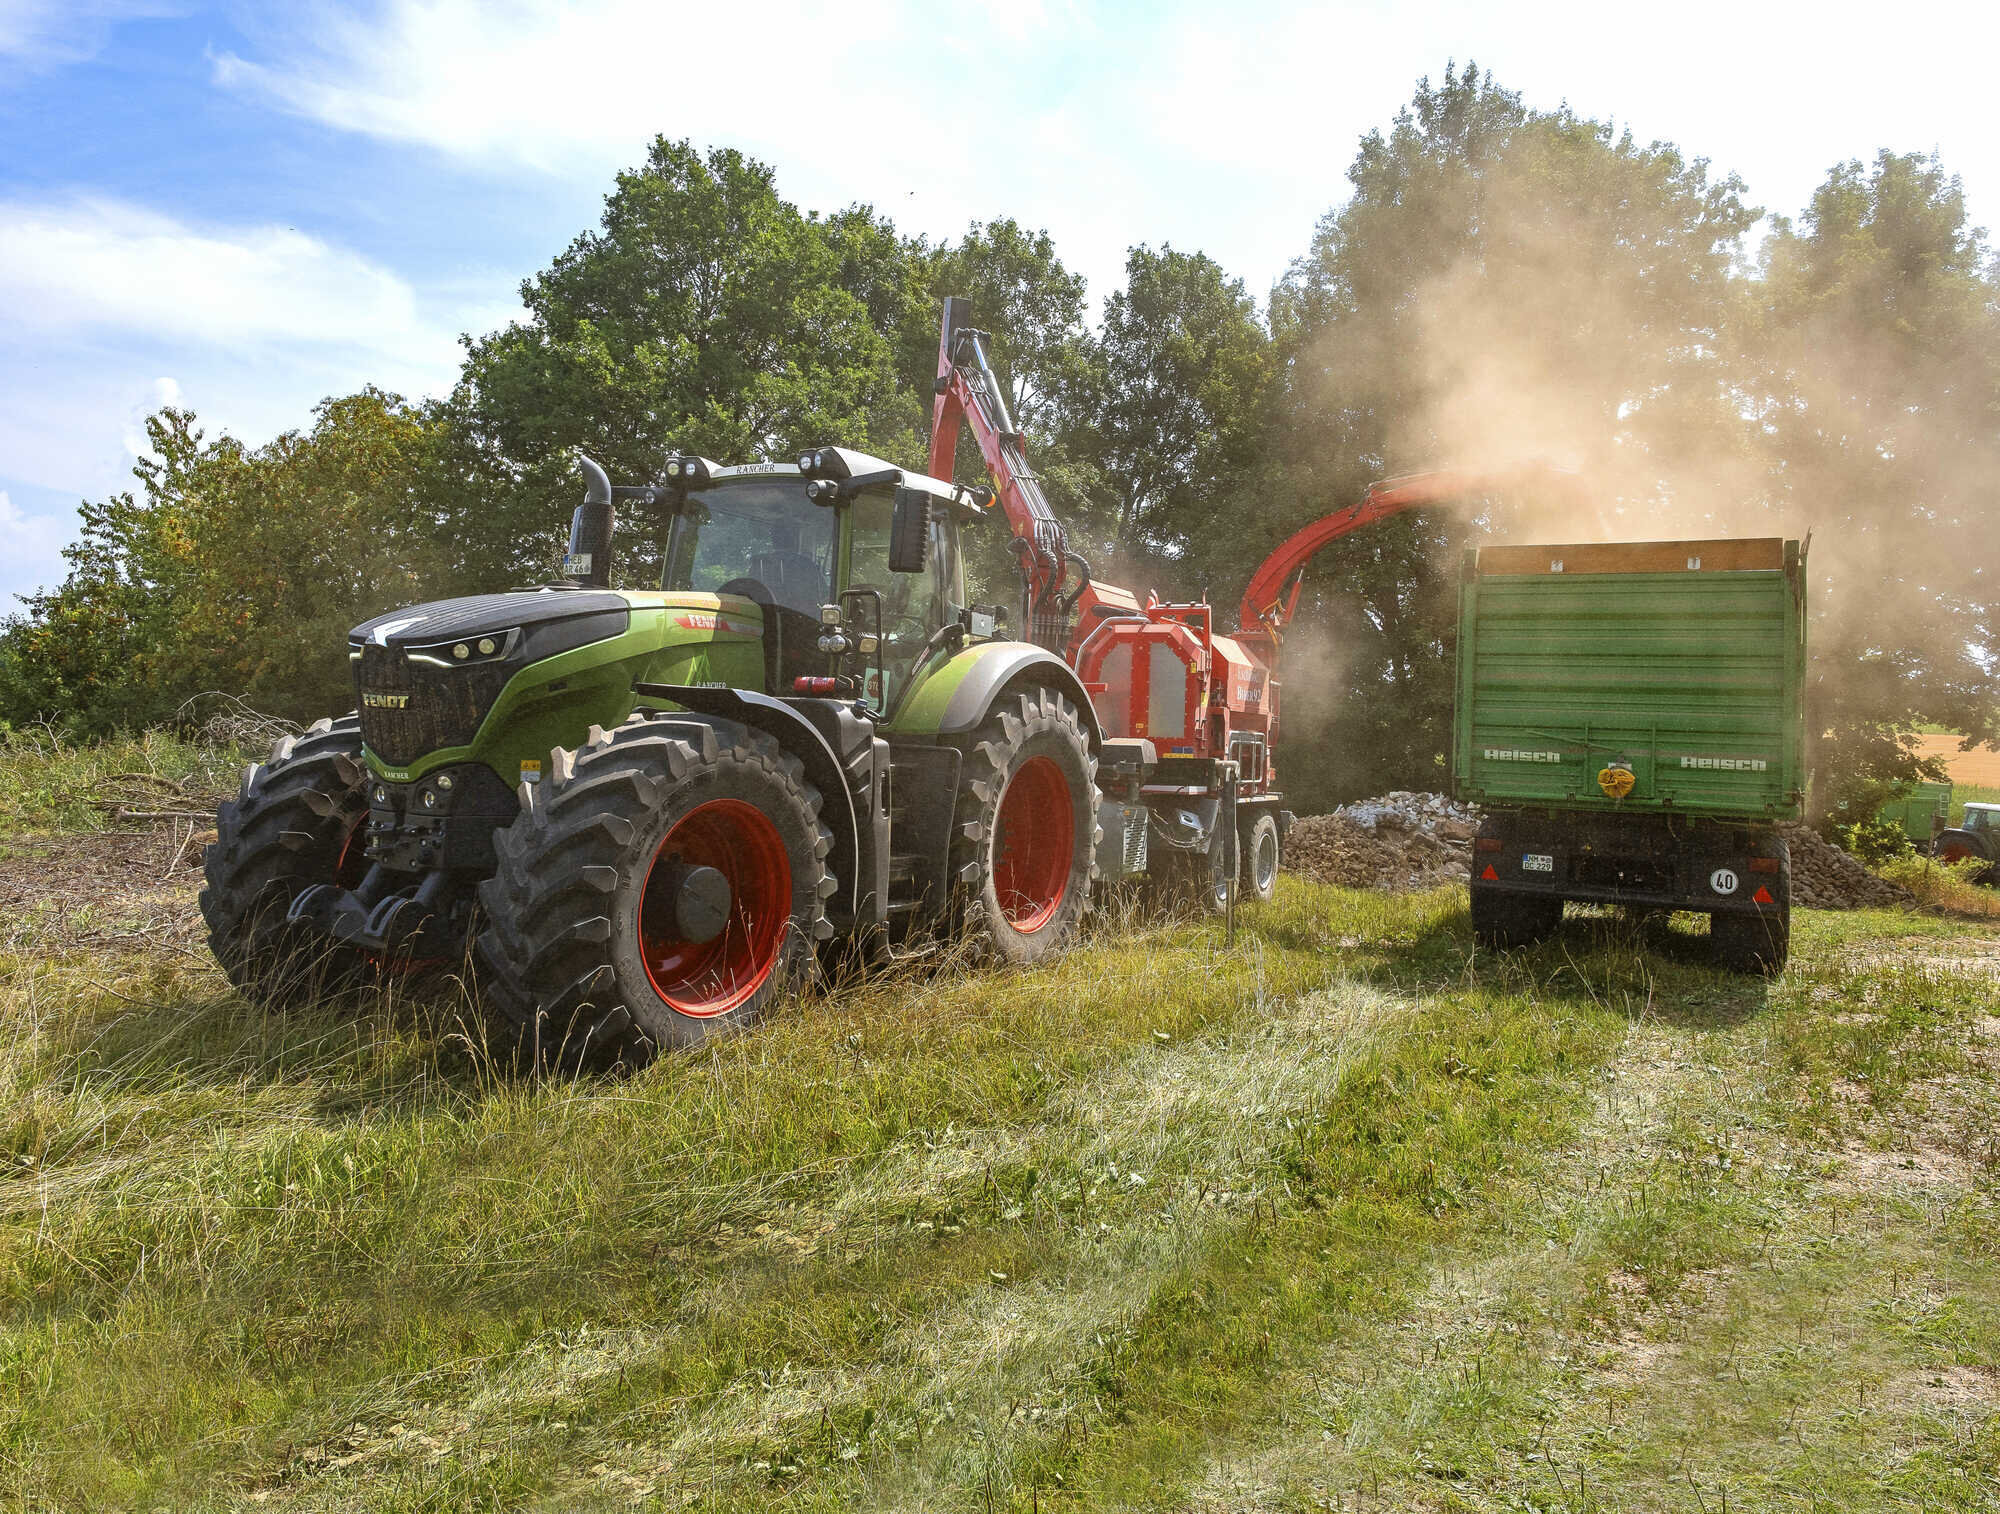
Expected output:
(1349, 1217)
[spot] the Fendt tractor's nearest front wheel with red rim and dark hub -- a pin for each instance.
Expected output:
(657, 889)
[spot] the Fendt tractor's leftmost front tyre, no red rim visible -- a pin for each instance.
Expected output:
(295, 823)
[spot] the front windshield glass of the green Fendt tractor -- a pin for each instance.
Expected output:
(757, 537)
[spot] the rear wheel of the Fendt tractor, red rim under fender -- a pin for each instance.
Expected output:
(1025, 835)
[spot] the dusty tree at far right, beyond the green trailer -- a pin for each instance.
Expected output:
(1879, 329)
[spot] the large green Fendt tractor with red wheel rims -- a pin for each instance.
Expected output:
(645, 811)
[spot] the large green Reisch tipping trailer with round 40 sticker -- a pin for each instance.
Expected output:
(1629, 719)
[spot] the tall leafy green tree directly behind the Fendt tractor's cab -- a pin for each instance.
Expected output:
(705, 315)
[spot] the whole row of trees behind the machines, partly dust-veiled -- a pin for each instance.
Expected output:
(1499, 285)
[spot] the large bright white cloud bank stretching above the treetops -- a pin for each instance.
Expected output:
(1217, 129)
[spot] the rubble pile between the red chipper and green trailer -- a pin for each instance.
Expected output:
(1397, 841)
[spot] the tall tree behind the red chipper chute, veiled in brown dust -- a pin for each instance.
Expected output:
(1505, 285)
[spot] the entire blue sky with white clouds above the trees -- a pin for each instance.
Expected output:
(249, 207)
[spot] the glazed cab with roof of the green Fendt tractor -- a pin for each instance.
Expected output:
(851, 561)
